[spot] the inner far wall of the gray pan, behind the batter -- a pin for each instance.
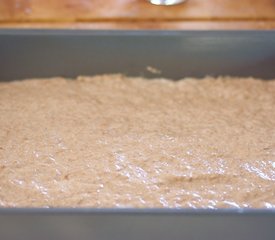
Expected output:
(177, 54)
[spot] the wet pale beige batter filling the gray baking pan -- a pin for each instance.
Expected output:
(113, 141)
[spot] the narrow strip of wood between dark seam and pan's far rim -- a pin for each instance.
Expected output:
(151, 25)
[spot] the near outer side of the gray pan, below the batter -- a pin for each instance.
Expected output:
(136, 224)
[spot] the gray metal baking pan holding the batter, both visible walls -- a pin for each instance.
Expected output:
(47, 53)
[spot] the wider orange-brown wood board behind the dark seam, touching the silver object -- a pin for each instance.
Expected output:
(94, 10)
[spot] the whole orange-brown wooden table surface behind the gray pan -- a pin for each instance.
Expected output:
(137, 14)
